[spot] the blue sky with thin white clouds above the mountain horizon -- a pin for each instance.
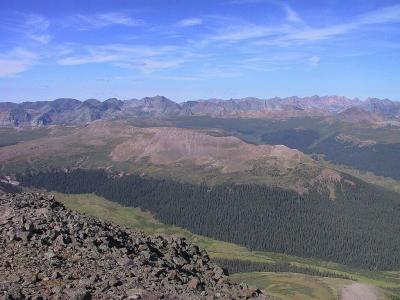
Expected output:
(198, 49)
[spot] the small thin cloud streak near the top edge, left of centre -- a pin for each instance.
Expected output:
(89, 22)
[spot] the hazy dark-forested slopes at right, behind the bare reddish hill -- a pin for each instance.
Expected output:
(337, 141)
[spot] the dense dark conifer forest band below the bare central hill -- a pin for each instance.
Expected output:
(359, 227)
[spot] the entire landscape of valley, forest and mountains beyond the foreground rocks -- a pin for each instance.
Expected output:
(297, 196)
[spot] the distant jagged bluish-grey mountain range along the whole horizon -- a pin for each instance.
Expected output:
(67, 111)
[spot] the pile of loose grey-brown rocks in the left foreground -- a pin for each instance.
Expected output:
(50, 252)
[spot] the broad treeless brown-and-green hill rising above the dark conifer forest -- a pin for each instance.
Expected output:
(184, 154)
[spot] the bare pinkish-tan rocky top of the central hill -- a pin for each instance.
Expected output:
(165, 146)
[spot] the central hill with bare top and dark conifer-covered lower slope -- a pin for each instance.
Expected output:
(293, 196)
